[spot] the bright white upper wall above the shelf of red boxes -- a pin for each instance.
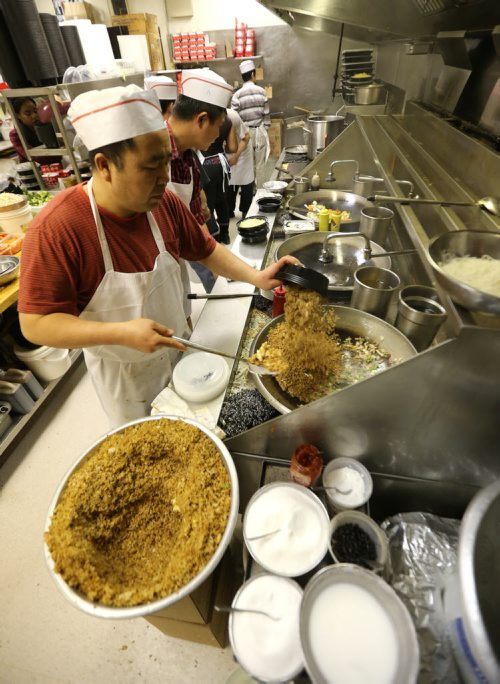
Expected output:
(213, 15)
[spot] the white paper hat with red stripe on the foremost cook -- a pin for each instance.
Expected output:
(102, 117)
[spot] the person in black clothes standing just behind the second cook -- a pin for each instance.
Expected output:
(217, 169)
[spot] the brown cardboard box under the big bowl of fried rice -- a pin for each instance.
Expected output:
(193, 618)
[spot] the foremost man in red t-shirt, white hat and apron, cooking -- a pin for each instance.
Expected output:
(101, 265)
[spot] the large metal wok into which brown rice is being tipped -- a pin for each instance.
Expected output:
(349, 322)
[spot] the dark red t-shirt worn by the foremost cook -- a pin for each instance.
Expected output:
(62, 263)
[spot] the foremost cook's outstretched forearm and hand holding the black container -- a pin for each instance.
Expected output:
(223, 262)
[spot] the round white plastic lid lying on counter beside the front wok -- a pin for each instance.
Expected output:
(200, 376)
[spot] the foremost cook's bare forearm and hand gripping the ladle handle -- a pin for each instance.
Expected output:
(67, 331)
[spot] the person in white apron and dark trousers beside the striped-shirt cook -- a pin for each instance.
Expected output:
(241, 163)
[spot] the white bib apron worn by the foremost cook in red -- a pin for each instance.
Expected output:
(127, 380)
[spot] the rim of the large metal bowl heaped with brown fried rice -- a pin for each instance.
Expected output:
(79, 601)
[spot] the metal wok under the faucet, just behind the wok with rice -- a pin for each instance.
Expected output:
(347, 253)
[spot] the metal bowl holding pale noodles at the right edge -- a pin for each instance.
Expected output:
(465, 243)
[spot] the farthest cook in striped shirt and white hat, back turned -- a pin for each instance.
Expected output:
(251, 103)
